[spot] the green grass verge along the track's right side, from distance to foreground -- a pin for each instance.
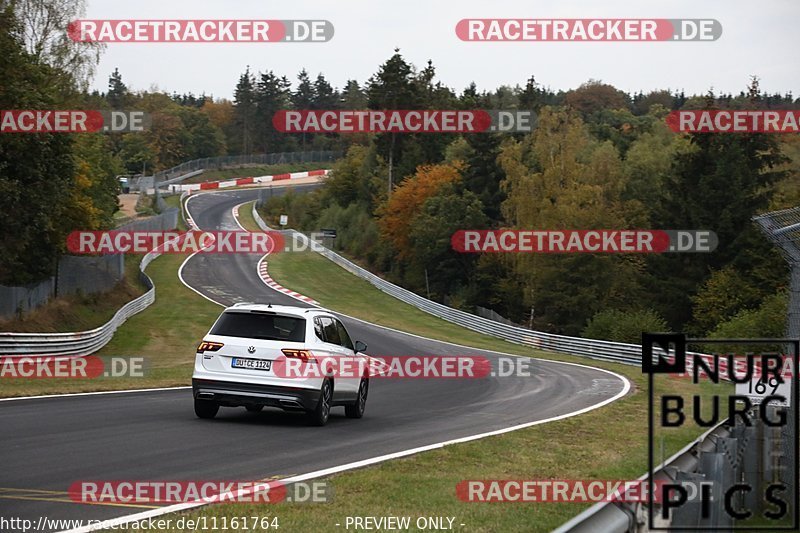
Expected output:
(607, 443)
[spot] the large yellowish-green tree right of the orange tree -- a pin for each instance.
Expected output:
(559, 178)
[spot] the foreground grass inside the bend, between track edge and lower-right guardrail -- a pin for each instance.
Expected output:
(606, 444)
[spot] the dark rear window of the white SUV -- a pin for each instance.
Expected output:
(261, 326)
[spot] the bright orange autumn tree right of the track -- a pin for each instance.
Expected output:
(397, 215)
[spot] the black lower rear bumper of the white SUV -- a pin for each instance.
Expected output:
(233, 394)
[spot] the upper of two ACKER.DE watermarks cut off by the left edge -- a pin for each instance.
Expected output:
(73, 121)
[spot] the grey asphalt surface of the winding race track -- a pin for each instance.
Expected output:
(51, 443)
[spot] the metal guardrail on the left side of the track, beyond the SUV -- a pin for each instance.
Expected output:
(81, 342)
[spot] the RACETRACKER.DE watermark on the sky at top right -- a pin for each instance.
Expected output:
(588, 30)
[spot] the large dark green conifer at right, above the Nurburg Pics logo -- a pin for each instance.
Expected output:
(718, 185)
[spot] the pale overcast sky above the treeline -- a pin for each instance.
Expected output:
(758, 38)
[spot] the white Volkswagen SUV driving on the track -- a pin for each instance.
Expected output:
(236, 366)
